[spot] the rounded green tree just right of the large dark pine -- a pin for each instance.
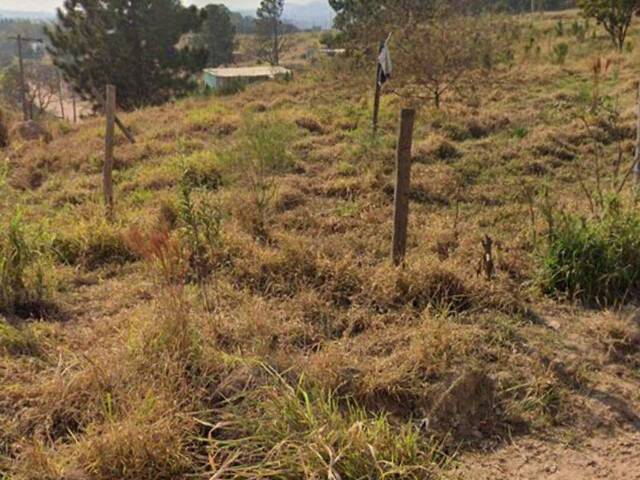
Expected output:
(218, 34)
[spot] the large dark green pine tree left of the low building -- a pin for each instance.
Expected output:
(134, 45)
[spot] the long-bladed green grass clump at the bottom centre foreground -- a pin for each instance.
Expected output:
(292, 431)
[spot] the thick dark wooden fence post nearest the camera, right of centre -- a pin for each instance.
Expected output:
(403, 182)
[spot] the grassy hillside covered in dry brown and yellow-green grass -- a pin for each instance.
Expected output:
(239, 317)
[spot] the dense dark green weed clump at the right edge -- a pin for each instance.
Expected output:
(594, 260)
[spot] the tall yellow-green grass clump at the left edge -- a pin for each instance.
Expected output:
(24, 283)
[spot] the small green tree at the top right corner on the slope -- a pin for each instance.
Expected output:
(614, 15)
